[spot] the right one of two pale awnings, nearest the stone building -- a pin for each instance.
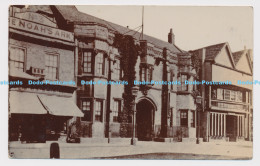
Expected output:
(60, 106)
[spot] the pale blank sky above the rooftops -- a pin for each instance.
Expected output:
(194, 27)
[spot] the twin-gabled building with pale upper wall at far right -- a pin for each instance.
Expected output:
(227, 112)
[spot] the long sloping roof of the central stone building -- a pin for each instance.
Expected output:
(70, 13)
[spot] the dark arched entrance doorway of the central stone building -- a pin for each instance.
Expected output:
(145, 120)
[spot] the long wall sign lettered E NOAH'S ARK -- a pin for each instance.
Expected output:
(40, 29)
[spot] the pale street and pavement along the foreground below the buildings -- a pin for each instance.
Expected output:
(146, 150)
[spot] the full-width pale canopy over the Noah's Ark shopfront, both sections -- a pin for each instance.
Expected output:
(32, 103)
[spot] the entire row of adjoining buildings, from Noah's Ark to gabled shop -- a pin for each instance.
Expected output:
(59, 43)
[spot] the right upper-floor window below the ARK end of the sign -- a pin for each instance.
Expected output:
(51, 66)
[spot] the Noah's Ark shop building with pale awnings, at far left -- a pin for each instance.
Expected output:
(39, 52)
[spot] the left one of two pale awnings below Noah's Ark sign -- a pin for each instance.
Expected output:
(25, 103)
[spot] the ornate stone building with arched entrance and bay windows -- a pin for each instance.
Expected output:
(160, 108)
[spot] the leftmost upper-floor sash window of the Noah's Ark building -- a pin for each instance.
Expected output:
(16, 57)
